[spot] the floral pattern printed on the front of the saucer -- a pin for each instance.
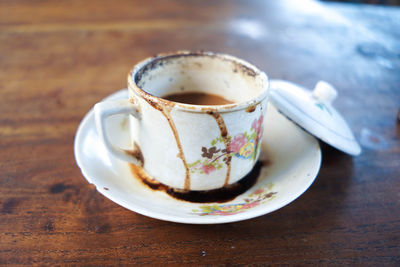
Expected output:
(259, 196)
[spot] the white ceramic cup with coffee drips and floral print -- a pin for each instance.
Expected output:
(185, 146)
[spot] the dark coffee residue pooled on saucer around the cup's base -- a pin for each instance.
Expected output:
(219, 195)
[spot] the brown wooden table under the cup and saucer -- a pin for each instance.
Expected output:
(57, 59)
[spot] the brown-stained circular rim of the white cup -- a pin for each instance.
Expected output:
(155, 100)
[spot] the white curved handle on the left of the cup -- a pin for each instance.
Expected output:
(105, 109)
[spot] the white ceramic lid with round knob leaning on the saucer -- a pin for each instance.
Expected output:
(314, 112)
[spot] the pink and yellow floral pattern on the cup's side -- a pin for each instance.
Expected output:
(243, 145)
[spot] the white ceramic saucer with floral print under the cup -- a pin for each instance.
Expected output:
(294, 159)
